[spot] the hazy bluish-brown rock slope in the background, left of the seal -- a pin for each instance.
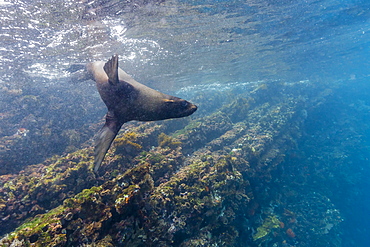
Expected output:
(36, 124)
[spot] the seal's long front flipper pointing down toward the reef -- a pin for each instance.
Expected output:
(105, 138)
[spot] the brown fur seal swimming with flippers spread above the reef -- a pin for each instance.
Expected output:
(126, 100)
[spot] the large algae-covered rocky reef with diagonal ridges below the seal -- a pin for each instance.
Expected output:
(218, 179)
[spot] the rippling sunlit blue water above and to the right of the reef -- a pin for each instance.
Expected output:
(193, 46)
